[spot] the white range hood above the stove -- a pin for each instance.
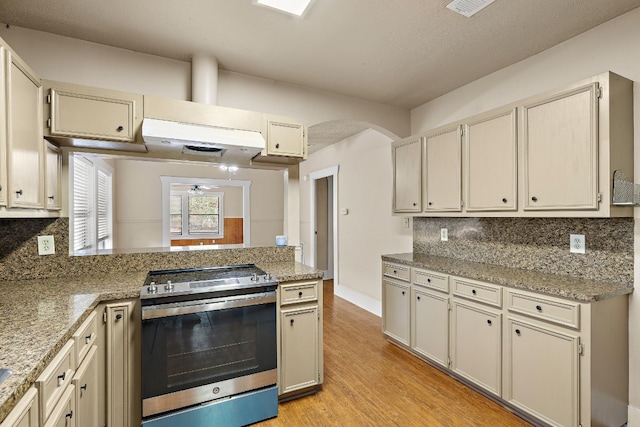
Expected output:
(195, 139)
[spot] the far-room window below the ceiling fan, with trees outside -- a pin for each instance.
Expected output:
(195, 212)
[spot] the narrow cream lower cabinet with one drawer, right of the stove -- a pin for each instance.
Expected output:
(300, 360)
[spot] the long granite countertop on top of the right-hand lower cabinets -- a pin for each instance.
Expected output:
(551, 284)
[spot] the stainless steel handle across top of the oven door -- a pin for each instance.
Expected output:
(176, 309)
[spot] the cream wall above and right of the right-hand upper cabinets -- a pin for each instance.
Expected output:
(613, 46)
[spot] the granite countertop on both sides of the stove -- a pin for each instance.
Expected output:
(39, 316)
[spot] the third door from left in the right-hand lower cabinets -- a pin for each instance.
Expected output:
(476, 345)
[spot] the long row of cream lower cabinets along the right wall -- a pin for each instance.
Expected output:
(550, 359)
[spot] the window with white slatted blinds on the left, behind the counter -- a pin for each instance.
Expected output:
(91, 224)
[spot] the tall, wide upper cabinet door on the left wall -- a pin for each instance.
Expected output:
(24, 135)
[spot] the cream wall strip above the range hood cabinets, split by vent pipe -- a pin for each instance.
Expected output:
(65, 59)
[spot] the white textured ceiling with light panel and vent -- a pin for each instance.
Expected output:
(397, 52)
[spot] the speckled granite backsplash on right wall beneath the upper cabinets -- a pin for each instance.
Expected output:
(540, 244)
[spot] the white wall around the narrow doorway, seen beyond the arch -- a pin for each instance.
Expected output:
(369, 230)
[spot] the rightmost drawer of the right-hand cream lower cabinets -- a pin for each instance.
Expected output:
(546, 308)
